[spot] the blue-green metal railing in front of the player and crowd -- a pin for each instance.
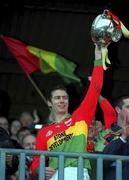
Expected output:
(22, 154)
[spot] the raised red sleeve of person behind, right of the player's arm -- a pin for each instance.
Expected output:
(109, 112)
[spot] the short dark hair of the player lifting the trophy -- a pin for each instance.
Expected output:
(57, 87)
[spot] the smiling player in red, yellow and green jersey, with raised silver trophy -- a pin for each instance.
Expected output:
(105, 28)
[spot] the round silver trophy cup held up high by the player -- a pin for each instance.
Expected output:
(104, 30)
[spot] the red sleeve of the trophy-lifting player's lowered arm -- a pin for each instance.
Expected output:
(40, 145)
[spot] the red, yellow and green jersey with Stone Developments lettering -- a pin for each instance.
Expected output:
(71, 134)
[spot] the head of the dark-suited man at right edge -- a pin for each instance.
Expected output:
(122, 108)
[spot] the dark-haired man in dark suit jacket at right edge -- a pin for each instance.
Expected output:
(119, 146)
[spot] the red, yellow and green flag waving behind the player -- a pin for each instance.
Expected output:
(32, 59)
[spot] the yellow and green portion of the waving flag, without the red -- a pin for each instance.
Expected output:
(53, 62)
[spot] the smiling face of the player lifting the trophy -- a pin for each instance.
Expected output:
(59, 102)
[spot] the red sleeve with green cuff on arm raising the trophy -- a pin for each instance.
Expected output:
(87, 108)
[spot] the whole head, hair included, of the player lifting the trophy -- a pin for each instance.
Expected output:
(58, 100)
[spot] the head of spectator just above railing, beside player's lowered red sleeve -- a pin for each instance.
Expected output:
(29, 142)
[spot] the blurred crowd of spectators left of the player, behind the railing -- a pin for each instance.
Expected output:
(19, 134)
